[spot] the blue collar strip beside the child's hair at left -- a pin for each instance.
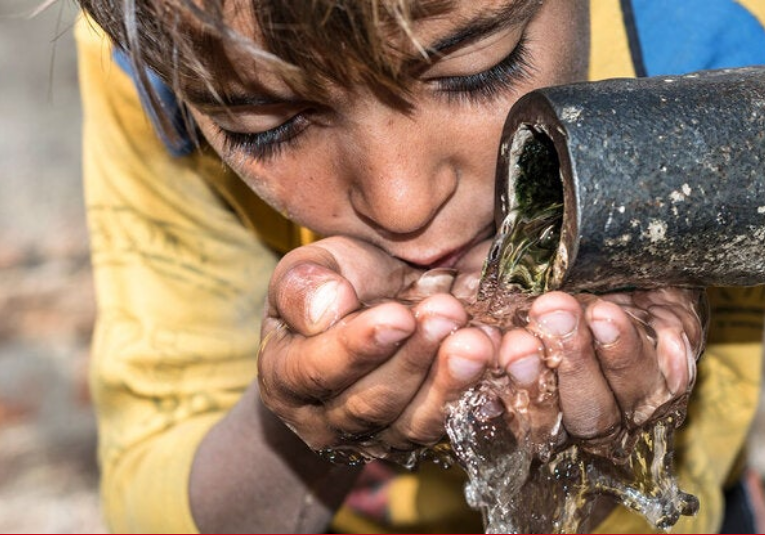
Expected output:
(169, 103)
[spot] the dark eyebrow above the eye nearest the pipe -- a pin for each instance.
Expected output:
(485, 24)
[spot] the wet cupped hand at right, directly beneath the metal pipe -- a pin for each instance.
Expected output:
(622, 360)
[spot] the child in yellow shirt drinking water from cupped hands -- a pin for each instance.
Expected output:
(374, 124)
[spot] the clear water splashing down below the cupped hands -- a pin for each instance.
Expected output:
(520, 492)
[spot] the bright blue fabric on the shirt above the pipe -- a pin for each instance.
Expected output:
(680, 36)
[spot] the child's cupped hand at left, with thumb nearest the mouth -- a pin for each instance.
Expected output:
(342, 362)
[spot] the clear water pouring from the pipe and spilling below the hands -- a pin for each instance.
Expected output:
(534, 484)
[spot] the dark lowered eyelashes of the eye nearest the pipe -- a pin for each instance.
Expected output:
(485, 86)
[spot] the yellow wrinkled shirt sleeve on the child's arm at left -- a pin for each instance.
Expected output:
(180, 287)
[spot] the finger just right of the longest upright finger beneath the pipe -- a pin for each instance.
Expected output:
(628, 360)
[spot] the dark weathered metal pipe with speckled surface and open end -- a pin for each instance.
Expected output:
(662, 179)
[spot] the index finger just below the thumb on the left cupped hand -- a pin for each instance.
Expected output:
(310, 369)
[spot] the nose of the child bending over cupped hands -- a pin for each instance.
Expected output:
(402, 172)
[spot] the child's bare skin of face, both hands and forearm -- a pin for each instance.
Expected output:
(399, 192)
